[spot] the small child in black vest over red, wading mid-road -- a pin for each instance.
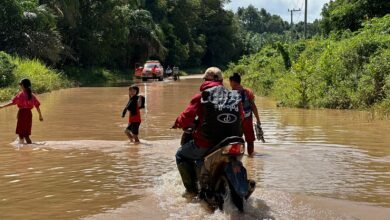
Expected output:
(133, 106)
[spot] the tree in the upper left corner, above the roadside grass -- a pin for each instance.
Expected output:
(29, 29)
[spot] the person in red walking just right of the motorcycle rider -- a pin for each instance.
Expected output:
(250, 108)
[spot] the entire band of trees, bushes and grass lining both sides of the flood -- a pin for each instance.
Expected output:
(344, 63)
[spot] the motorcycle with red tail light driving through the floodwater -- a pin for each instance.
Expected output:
(221, 176)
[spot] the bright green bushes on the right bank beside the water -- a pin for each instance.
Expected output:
(343, 71)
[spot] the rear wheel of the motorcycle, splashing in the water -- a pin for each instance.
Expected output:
(226, 192)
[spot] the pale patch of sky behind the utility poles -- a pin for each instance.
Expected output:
(280, 7)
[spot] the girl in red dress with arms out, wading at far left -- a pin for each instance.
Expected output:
(25, 101)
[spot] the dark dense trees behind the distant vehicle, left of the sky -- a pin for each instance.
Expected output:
(119, 34)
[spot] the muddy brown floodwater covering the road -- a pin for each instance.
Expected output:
(316, 164)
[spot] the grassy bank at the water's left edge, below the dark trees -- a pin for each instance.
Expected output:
(46, 79)
